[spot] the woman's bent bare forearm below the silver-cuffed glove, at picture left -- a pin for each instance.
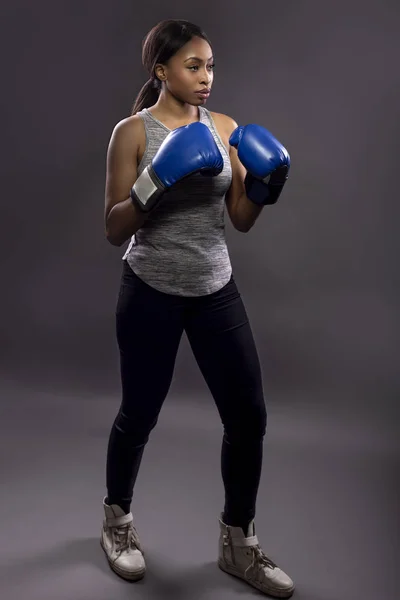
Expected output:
(123, 221)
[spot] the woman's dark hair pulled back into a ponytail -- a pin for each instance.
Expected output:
(159, 45)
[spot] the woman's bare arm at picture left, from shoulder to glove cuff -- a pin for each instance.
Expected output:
(122, 218)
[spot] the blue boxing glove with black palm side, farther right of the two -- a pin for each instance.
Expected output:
(266, 160)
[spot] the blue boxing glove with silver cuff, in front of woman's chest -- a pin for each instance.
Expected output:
(187, 150)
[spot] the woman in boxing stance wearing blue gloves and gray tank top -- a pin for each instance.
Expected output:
(172, 166)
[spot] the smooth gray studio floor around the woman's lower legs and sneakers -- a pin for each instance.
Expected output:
(327, 508)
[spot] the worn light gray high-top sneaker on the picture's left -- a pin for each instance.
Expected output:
(120, 541)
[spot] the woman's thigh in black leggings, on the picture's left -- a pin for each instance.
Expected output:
(149, 329)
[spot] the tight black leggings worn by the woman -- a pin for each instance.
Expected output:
(149, 329)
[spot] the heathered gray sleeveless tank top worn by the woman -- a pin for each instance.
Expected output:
(181, 248)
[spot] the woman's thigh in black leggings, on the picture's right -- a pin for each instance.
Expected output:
(222, 341)
